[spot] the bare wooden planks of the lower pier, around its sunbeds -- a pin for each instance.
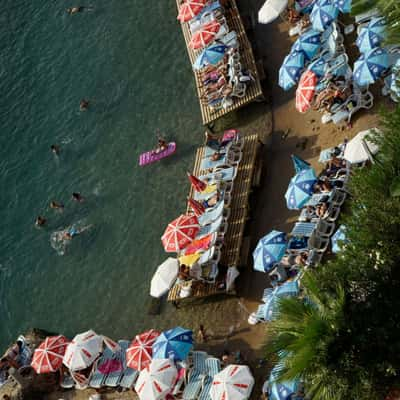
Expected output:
(242, 186)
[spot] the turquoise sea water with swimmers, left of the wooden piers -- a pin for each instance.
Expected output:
(128, 58)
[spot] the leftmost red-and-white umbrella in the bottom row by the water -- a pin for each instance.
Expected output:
(48, 357)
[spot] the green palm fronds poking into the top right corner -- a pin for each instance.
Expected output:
(390, 9)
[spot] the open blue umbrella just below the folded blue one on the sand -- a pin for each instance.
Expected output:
(300, 189)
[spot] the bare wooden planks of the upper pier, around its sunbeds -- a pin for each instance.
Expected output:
(253, 92)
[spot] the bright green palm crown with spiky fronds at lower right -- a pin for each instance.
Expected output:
(303, 336)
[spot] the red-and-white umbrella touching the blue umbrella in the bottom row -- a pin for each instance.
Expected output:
(138, 354)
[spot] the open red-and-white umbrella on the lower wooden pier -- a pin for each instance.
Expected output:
(179, 233)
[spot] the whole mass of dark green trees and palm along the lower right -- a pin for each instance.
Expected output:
(345, 342)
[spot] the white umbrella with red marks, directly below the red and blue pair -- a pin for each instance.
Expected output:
(156, 380)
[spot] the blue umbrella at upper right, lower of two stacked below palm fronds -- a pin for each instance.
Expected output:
(370, 66)
